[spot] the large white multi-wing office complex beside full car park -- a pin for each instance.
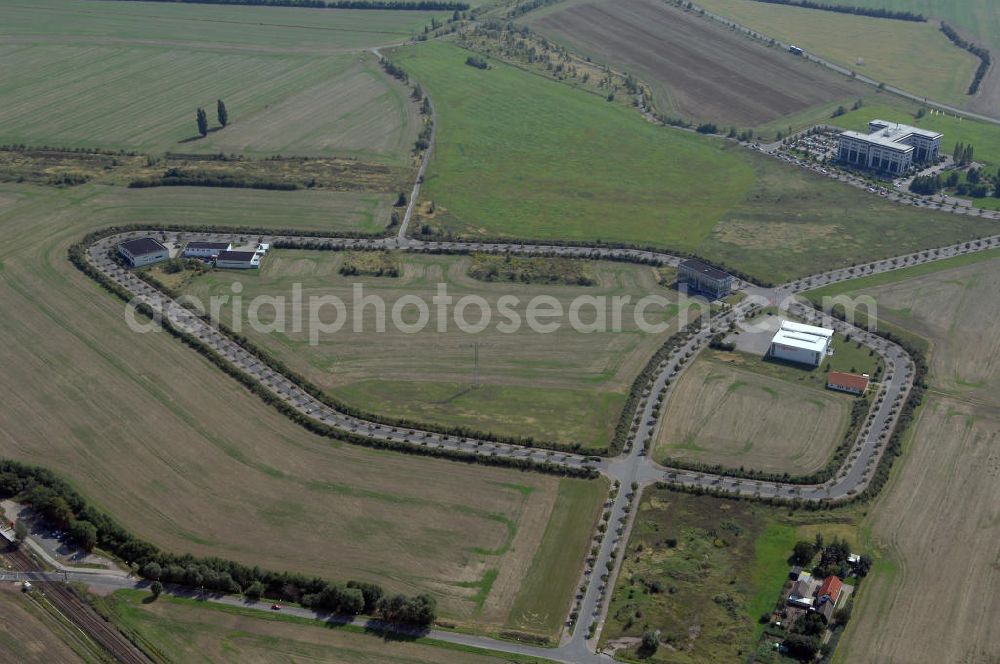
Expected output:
(889, 147)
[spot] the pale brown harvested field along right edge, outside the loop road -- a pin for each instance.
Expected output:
(935, 592)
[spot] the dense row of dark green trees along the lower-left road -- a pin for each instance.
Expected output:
(62, 507)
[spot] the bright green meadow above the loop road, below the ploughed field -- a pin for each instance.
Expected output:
(623, 179)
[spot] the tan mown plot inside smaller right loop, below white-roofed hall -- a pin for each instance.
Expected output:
(719, 414)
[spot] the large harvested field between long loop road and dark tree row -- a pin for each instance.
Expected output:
(185, 457)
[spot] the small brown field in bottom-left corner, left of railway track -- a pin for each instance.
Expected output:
(28, 635)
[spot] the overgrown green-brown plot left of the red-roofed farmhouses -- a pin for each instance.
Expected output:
(702, 570)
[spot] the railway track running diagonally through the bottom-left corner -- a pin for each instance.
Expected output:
(81, 614)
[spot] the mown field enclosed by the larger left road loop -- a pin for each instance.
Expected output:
(562, 386)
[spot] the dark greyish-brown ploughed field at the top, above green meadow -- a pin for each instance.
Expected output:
(697, 68)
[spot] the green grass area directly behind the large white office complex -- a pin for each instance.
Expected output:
(985, 138)
